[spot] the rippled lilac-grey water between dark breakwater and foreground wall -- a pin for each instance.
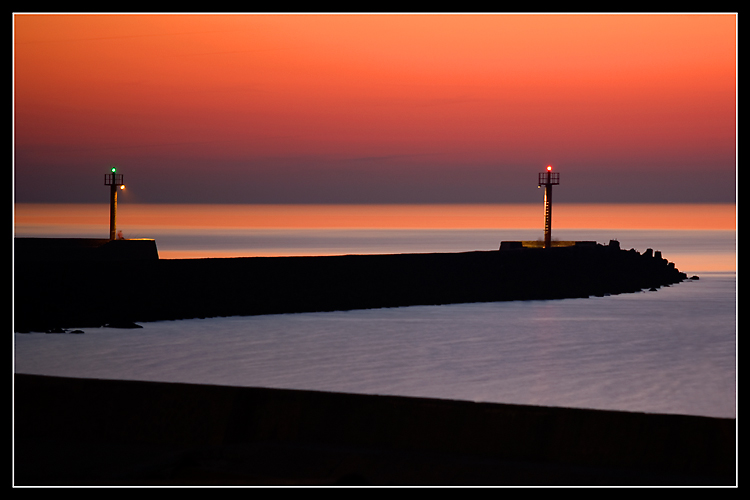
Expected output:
(667, 351)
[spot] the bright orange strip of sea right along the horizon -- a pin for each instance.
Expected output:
(33, 219)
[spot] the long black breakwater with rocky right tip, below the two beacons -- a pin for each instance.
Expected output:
(81, 293)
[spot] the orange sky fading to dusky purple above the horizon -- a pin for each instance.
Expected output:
(375, 108)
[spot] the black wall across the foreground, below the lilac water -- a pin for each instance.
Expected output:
(95, 432)
